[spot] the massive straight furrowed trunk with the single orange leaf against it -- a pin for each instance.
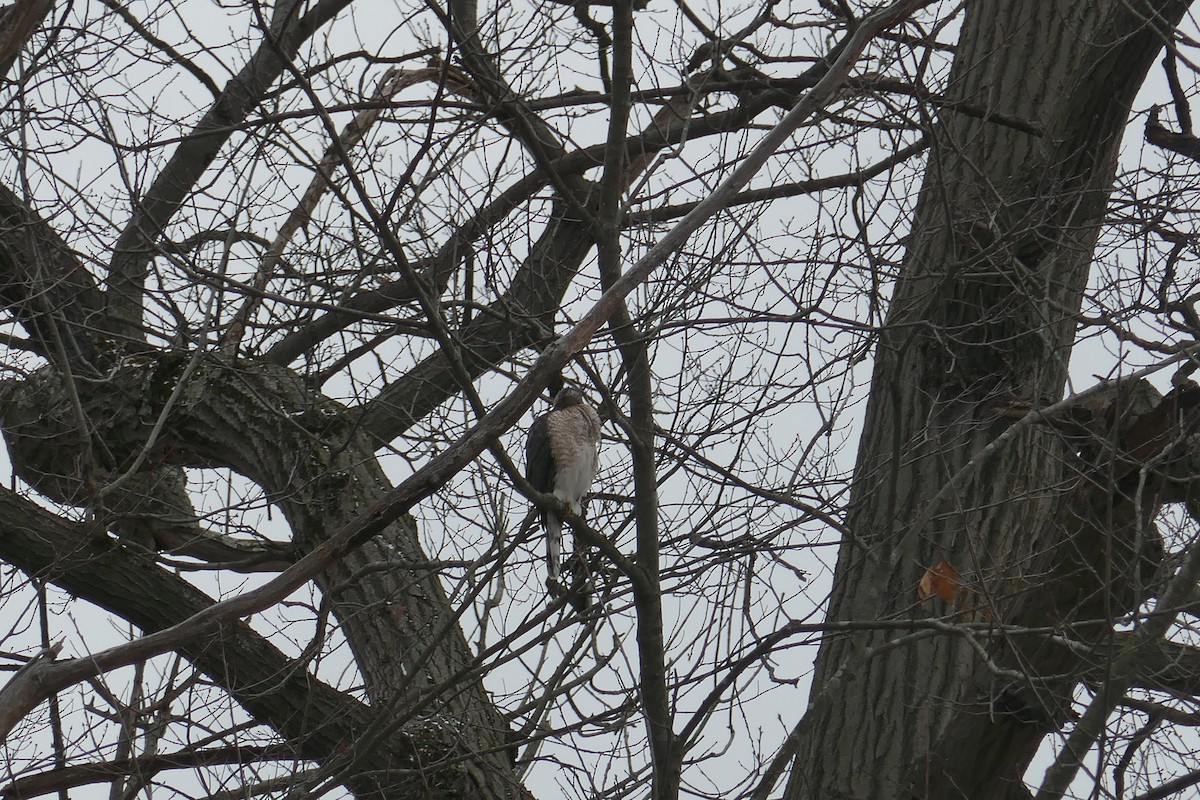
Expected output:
(982, 322)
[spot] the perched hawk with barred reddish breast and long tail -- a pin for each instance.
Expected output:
(561, 460)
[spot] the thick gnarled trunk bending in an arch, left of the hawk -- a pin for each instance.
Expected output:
(314, 461)
